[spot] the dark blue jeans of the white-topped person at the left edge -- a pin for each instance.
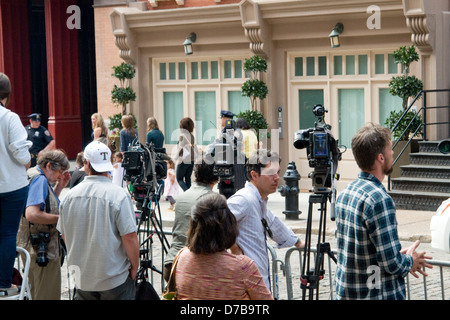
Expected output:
(12, 205)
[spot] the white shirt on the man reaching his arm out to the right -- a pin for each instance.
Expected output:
(249, 209)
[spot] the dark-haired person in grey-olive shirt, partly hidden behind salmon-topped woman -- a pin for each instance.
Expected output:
(204, 183)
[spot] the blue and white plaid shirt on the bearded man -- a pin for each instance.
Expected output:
(369, 262)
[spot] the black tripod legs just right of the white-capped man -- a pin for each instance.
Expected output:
(149, 223)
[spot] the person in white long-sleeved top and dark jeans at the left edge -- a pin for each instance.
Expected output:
(14, 150)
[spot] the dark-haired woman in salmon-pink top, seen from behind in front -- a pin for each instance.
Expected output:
(205, 270)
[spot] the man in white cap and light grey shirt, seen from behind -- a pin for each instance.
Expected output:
(98, 223)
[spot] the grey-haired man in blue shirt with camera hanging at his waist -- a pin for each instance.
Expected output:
(38, 228)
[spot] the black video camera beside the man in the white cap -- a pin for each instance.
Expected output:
(144, 166)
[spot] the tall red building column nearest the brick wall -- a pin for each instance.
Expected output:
(63, 78)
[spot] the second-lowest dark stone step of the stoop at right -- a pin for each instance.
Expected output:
(421, 184)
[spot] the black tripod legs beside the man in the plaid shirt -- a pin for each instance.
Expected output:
(310, 278)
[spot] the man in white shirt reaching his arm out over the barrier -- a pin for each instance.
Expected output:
(255, 220)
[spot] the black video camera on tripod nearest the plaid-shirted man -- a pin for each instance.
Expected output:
(322, 150)
